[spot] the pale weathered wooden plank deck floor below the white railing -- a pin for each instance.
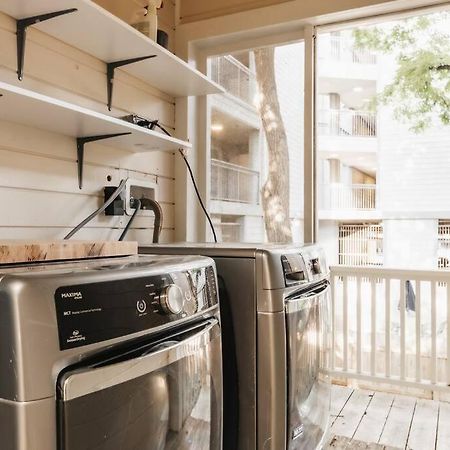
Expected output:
(376, 420)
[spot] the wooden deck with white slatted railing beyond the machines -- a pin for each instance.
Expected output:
(389, 332)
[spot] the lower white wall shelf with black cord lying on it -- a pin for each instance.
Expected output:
(46, 113)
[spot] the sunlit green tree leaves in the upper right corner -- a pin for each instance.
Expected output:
(420, 90)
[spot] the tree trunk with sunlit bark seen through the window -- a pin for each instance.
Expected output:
(275, 192)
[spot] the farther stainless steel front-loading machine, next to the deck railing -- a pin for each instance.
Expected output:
(275, 325)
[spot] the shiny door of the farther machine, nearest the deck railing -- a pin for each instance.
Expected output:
(308, 385)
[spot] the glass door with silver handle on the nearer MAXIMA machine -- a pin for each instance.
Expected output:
(161, 396)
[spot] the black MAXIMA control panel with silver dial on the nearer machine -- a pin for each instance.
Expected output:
(90, 313)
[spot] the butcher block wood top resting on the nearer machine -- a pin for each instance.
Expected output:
(18, 251)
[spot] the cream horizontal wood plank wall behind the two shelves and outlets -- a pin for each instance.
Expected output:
(39, 195)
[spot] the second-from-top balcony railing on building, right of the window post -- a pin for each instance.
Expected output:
(336, 122)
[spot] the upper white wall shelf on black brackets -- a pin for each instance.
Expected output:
(99, 33)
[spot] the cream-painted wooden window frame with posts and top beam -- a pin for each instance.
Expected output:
(195, 44)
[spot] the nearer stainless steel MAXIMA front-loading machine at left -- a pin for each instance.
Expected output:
(121, 353)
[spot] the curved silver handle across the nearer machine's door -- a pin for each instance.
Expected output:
(90, 380)
